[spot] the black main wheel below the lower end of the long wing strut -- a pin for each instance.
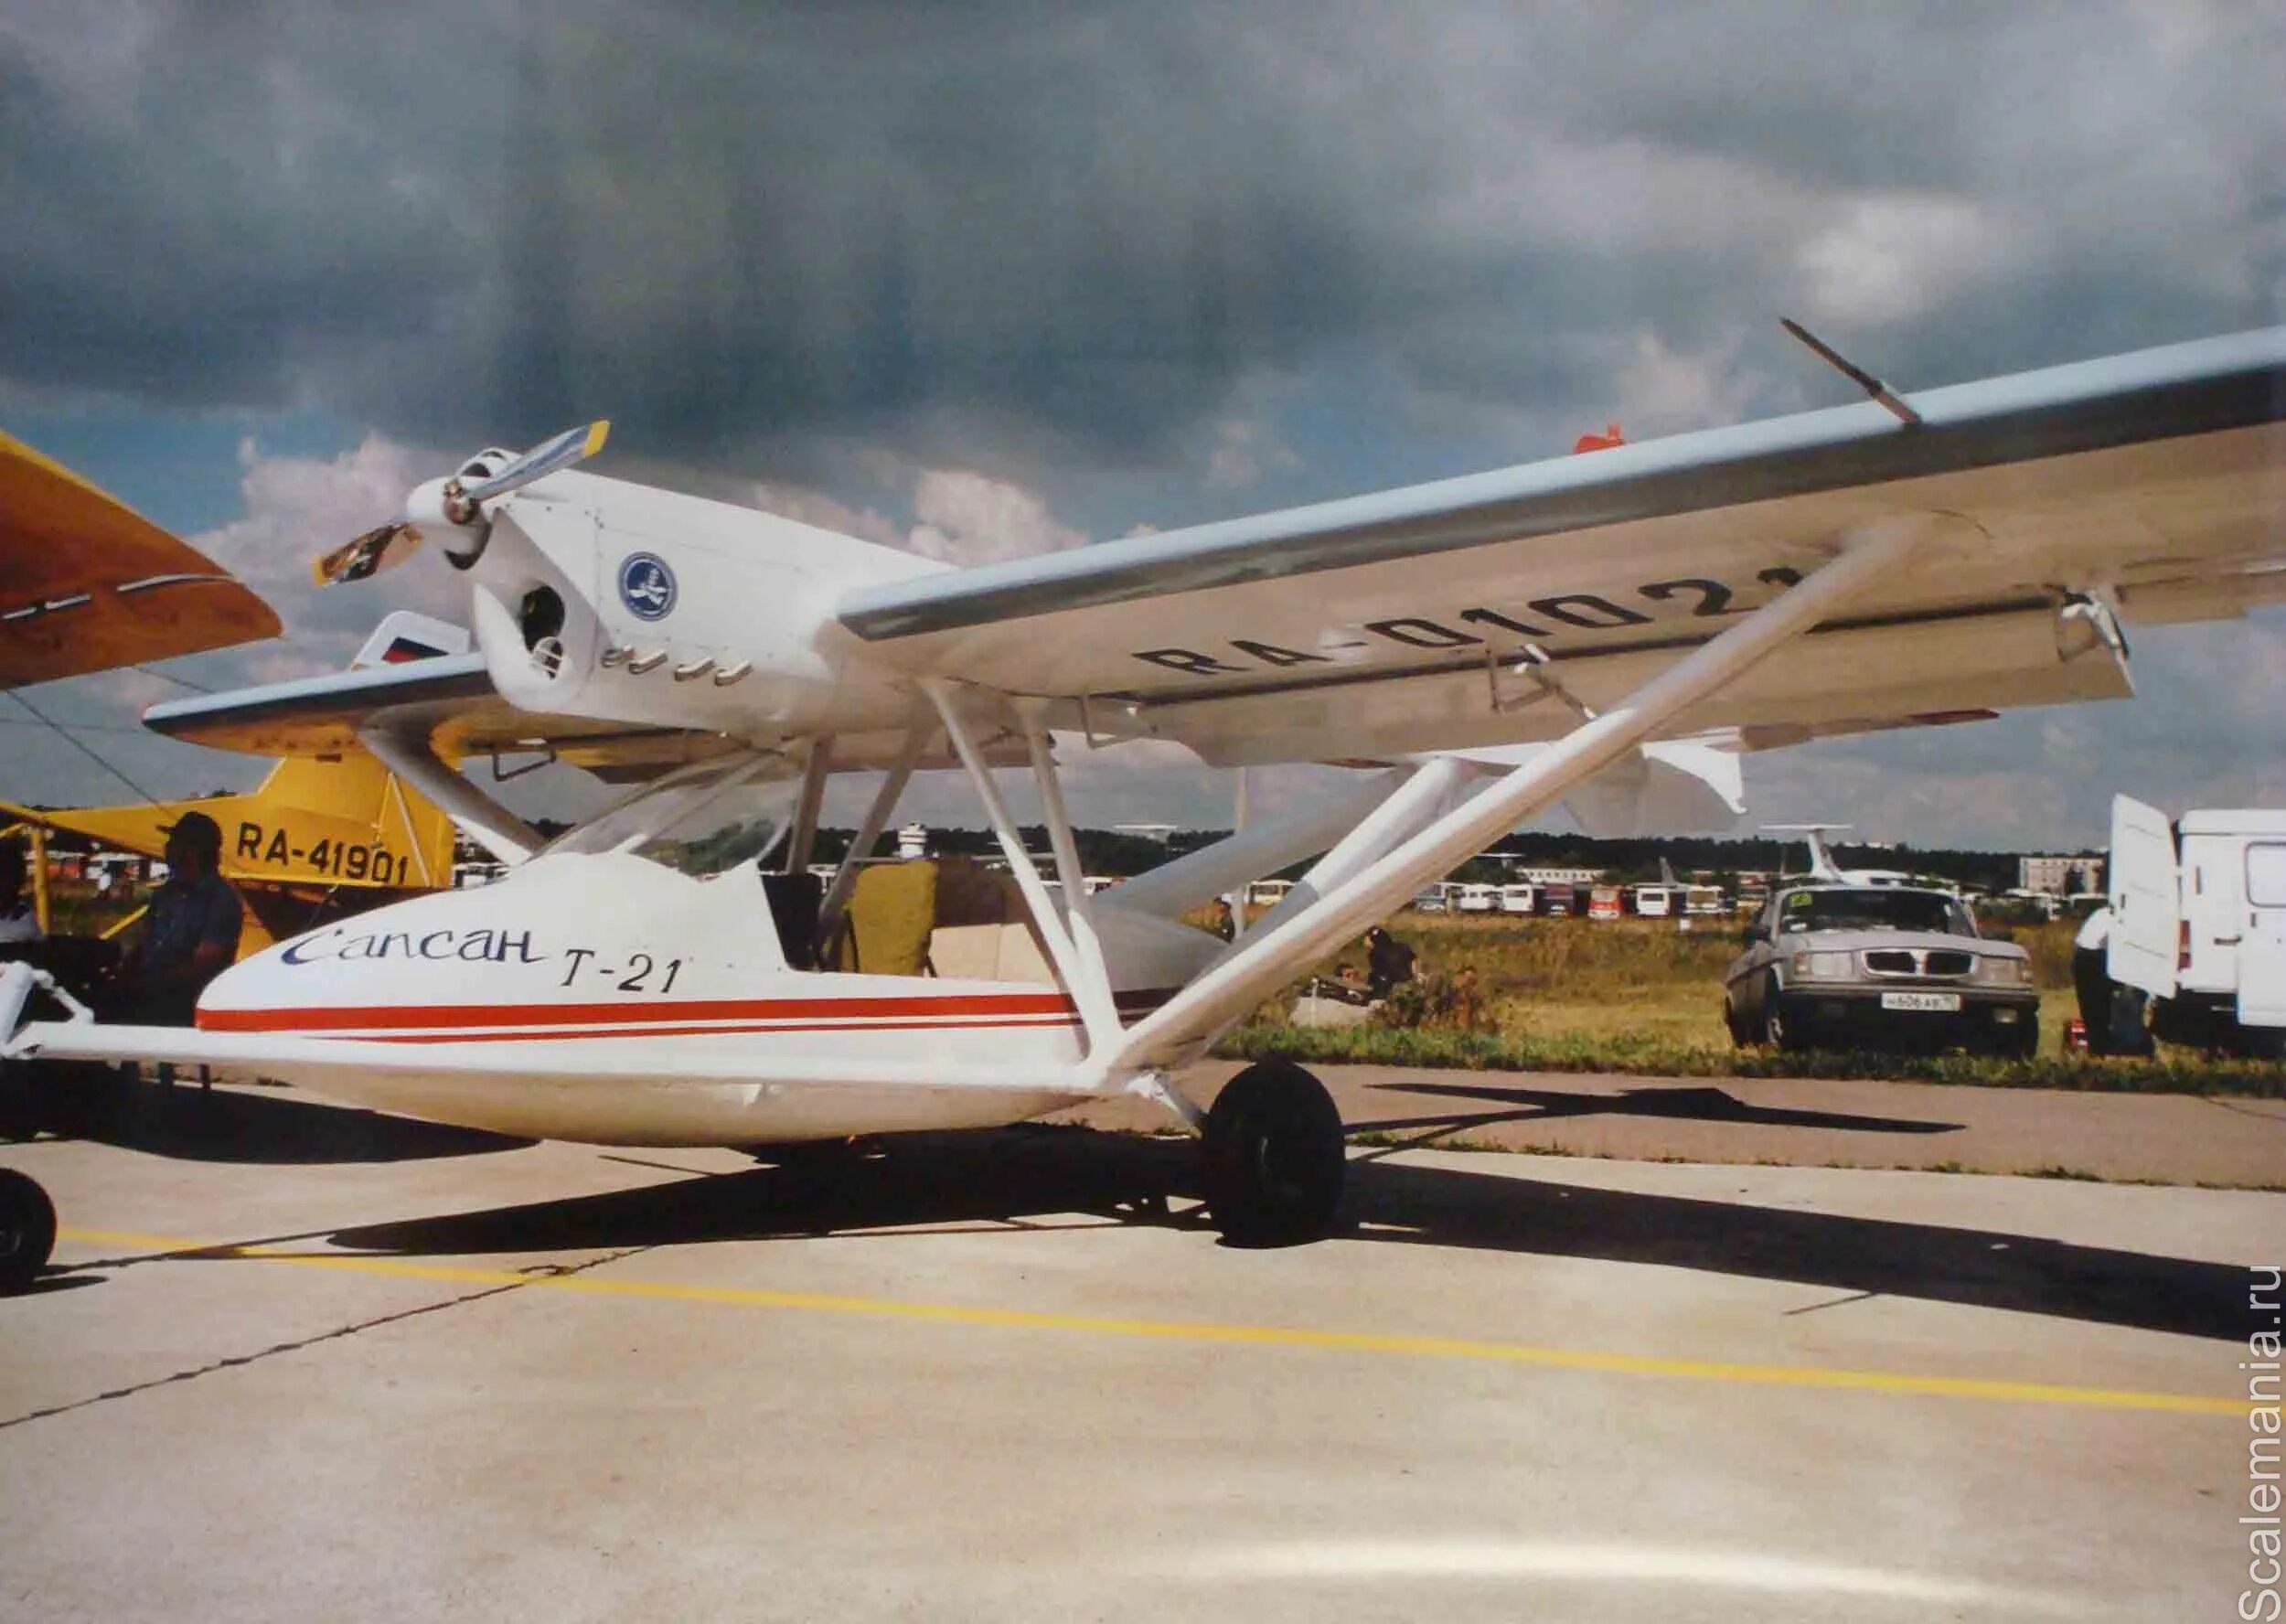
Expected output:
(1274, 1159)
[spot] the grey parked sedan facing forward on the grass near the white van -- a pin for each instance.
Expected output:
(1878, 969)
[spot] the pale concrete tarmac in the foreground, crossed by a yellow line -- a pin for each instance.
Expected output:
(310, 1362)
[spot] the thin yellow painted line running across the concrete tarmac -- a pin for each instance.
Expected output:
(1208, 1332)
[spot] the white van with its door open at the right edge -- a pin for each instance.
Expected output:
(2200, 923)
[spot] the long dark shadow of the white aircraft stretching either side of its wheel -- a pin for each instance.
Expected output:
(1014, 1177)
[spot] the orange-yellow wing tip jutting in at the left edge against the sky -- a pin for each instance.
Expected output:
(88, 584)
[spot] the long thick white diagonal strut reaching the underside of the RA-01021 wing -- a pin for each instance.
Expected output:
(1274, 955)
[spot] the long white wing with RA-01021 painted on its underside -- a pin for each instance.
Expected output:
(1402, 621)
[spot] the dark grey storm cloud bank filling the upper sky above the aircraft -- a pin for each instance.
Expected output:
(1076, 232)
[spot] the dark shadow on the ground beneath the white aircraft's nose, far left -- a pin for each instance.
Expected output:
(195, 1124)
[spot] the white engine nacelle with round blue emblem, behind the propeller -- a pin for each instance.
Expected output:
(625, 603)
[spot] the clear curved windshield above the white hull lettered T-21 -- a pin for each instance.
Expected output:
(701, 820)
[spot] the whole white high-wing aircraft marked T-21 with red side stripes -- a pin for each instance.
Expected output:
(669, 973)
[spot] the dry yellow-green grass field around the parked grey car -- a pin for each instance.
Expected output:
(1645, 996)
